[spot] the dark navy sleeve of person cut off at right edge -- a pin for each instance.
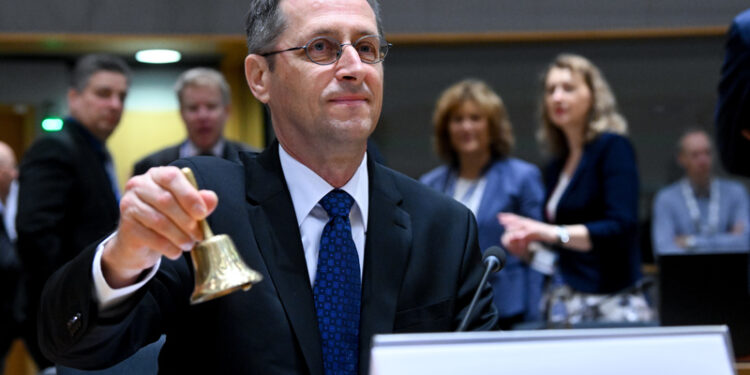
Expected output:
(733, 107)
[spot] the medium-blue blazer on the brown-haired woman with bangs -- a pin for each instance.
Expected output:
(512, 186)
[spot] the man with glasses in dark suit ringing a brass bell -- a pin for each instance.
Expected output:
(347, 248)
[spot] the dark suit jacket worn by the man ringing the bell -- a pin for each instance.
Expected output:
(421, 267)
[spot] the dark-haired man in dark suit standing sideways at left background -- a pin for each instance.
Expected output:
(67, 189)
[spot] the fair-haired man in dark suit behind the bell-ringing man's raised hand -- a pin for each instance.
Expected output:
(204, 99)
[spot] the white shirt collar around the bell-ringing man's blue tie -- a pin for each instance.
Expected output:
(307, 188)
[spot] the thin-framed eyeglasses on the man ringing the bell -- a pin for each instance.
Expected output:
(323, 50)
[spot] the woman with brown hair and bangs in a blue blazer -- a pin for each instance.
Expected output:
(474, 136)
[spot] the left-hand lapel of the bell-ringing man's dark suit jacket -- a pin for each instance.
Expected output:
(277, 234)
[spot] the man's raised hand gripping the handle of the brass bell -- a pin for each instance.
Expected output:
(159, 215)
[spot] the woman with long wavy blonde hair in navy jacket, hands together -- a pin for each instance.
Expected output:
(591, 208)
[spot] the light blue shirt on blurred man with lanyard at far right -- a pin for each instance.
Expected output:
(672, 217)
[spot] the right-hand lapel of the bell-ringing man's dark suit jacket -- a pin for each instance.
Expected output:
(386, 255)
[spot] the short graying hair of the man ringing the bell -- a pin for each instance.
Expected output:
(265, 22)
